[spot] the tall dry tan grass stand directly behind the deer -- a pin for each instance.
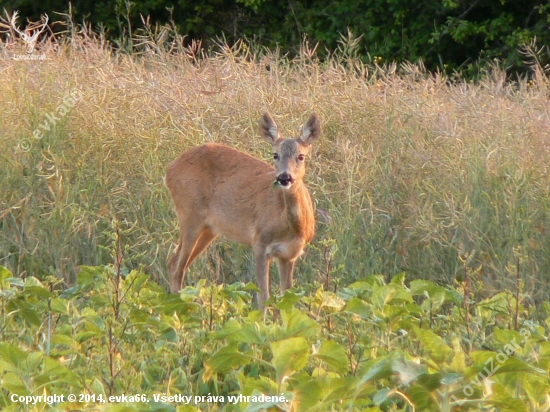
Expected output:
(419, 174)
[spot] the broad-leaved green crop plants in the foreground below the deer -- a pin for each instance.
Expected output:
(122, 343)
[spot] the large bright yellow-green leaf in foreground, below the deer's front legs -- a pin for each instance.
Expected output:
(289, 355)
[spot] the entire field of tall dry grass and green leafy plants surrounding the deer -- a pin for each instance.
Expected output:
(438, 196)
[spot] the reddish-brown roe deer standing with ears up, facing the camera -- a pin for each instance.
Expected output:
(218, 190)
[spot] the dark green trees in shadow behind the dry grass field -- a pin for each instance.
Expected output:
(445, 34)
